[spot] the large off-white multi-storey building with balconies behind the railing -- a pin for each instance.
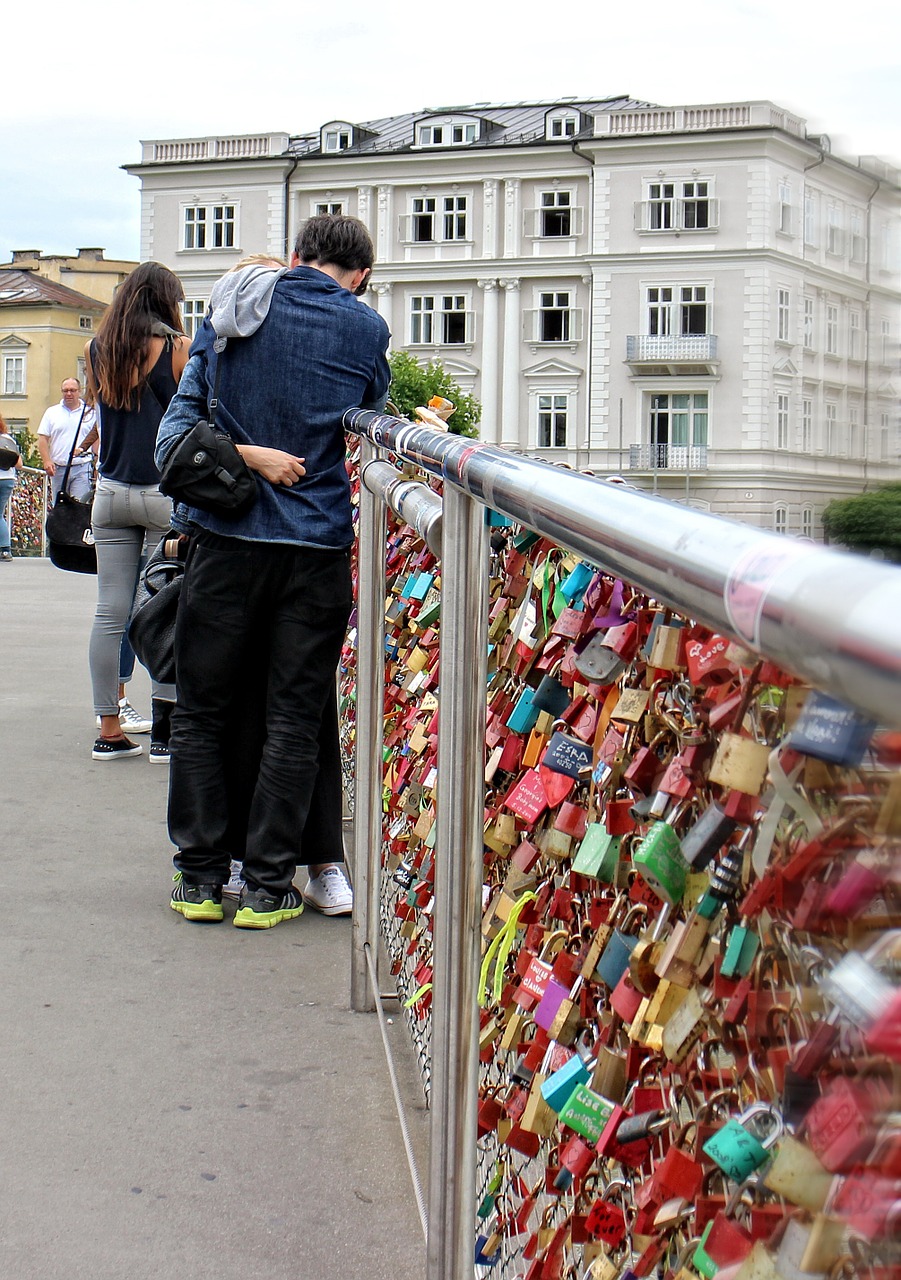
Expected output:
(702, 299)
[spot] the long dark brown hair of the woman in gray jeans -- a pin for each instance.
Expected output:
(152, 292)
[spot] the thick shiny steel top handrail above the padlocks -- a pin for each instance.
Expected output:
(827, 616)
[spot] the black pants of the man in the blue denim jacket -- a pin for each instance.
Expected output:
(258, 643)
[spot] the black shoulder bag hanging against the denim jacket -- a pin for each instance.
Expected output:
(205, 470)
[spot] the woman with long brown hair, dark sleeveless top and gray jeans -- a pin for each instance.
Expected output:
(134, 367)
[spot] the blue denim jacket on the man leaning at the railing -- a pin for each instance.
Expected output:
(319, 353)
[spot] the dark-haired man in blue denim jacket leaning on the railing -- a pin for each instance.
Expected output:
(275, 586)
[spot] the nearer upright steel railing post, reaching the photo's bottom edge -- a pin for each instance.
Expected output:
(459, 877)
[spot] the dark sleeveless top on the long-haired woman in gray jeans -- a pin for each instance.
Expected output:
(129, 436)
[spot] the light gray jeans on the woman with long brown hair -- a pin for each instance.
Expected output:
(129, 523)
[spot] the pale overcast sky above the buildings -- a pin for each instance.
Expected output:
(83, 88)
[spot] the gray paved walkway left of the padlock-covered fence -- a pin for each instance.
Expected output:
(176, 1100)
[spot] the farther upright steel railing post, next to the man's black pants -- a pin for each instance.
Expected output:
(372, 552)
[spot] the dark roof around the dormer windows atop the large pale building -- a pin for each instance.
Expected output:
(504, 125)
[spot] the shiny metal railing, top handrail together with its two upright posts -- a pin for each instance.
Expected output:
(829, 618)
